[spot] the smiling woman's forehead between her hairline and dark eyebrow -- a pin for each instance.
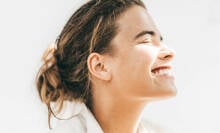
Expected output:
(133, 21)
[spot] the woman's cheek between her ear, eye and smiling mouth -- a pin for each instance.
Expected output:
(135, 67)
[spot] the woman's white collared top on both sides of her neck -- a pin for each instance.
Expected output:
(83, 121)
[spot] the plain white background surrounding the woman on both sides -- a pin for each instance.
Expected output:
(191, 27)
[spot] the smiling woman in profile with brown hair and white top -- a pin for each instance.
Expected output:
(109, 60)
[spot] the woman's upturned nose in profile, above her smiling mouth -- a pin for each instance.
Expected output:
(166, 53)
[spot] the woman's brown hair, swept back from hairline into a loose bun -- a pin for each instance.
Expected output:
(64, 74)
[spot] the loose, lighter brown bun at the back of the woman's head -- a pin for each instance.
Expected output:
(48, 81)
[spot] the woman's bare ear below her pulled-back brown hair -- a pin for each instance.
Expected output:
(98, 67)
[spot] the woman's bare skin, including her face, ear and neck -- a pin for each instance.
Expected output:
(124, 83)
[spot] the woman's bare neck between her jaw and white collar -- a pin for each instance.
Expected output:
(117, 115)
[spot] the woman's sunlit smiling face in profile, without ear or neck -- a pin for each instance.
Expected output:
(141, 63)
